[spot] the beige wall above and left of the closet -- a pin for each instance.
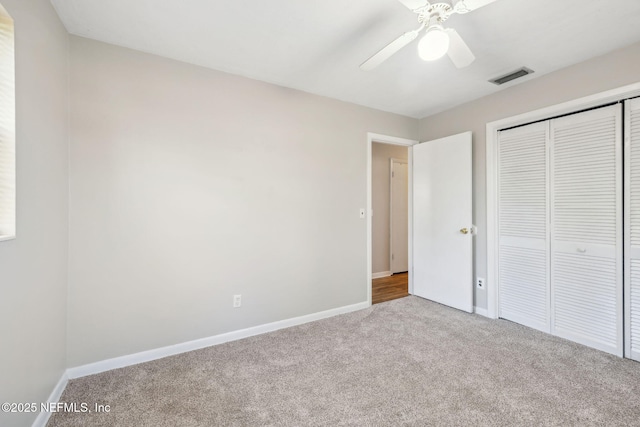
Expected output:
(610, 71)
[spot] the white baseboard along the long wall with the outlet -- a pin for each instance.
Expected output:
(158, 353)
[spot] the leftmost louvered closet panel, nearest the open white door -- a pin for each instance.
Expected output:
(523, 217)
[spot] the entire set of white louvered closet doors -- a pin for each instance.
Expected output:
(560, 227)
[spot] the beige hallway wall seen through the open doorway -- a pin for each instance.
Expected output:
(380, 155)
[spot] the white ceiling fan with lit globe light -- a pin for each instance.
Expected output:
(437, 40)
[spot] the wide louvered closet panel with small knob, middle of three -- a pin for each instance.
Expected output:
(586, 231)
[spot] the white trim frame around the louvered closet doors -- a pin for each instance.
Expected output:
(492, 129)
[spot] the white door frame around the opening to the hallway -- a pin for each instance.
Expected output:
(393, 140)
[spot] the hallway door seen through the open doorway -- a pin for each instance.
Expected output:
(399, 215)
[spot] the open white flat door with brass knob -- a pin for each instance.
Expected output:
(442, 221)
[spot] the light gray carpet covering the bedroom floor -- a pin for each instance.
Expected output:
(405, 362)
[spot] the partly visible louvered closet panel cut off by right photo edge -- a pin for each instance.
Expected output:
(632, 229)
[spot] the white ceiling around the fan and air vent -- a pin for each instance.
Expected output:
(317, 45)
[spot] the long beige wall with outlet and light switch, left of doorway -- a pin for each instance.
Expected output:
(190, 185)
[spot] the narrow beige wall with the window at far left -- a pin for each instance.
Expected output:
(33, 268)
